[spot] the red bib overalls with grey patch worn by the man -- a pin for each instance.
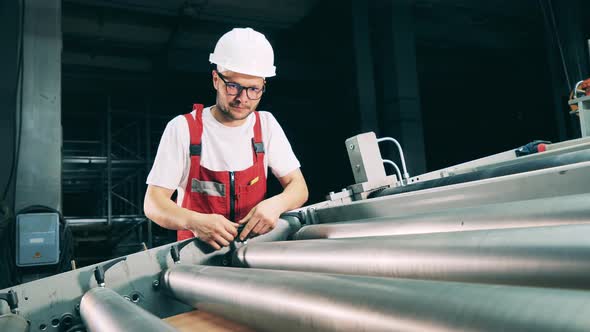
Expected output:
(229, 193)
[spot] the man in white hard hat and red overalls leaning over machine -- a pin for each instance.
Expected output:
(217, 157)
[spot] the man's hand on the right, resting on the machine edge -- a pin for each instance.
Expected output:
(261, 219)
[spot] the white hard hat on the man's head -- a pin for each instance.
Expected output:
(244, 51)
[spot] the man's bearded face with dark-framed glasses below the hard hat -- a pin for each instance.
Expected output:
(237, 107)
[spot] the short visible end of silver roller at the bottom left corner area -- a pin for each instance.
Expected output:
(102, 309)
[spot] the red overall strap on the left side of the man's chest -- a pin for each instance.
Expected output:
(195, 128)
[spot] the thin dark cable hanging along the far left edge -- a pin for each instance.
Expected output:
(18, 96)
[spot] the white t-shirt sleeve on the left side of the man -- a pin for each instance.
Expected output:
(171, 157)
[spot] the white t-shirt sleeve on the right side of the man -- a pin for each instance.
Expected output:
(281, 158)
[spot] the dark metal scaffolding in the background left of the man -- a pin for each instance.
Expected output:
(112, 168)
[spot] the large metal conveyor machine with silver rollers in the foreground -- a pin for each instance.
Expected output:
(496, 244)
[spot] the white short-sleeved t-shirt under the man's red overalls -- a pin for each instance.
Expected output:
(223, 148)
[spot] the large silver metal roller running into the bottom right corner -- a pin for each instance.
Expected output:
(297, 301)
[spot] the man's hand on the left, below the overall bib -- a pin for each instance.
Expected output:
(215, 230)
